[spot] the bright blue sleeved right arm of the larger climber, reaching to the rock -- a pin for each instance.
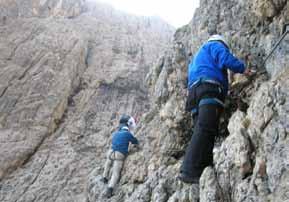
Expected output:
(227, 60)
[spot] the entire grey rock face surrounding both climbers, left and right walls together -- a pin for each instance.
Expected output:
(64, 83)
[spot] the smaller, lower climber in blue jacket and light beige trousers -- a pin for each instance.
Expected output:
(118, 152)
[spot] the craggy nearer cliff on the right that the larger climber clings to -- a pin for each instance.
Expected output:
(251, 164)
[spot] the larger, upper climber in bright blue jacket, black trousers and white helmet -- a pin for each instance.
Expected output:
(208, 87)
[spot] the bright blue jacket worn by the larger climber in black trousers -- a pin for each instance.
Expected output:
(211, 62)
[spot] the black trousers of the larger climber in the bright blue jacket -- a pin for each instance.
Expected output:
(199, 153)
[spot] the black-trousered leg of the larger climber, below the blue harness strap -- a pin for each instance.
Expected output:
(199, 153)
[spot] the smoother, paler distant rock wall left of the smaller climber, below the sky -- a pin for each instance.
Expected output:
(63, 84)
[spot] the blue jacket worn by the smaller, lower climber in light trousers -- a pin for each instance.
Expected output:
(121, 140)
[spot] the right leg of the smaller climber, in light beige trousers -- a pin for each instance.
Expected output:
(116, 170)
